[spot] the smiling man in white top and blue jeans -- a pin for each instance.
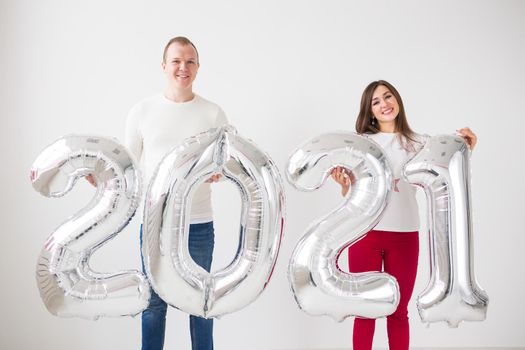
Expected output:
(153, 127)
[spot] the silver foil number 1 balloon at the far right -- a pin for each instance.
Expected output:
(442, 169)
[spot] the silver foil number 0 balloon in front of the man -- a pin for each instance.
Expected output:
(174, 275)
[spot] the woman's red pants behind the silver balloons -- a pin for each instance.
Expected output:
(397, 254)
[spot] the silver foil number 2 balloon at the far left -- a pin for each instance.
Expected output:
(67, 284)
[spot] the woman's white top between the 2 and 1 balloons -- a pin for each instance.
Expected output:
(401, 213)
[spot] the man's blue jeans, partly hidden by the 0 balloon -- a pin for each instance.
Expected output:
(201, 242)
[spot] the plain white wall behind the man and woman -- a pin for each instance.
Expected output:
(283, 71)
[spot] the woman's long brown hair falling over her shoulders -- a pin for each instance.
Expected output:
(365, 120)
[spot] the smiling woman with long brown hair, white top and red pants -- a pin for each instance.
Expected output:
(393, 244)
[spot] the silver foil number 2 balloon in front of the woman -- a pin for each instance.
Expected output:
(319, 286)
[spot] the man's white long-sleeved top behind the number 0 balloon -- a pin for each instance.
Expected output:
(155, 125)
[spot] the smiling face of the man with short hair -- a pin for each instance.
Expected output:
(181, 65)
